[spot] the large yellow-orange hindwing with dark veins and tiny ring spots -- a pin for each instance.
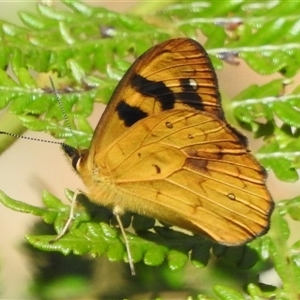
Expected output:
(187, 168)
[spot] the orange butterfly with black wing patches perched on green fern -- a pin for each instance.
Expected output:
(163, 149)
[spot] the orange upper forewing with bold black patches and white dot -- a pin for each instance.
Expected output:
(174, 74)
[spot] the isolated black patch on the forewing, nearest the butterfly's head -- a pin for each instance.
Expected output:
(129, 114)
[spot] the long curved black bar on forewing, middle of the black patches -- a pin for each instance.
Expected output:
(156, 89)
